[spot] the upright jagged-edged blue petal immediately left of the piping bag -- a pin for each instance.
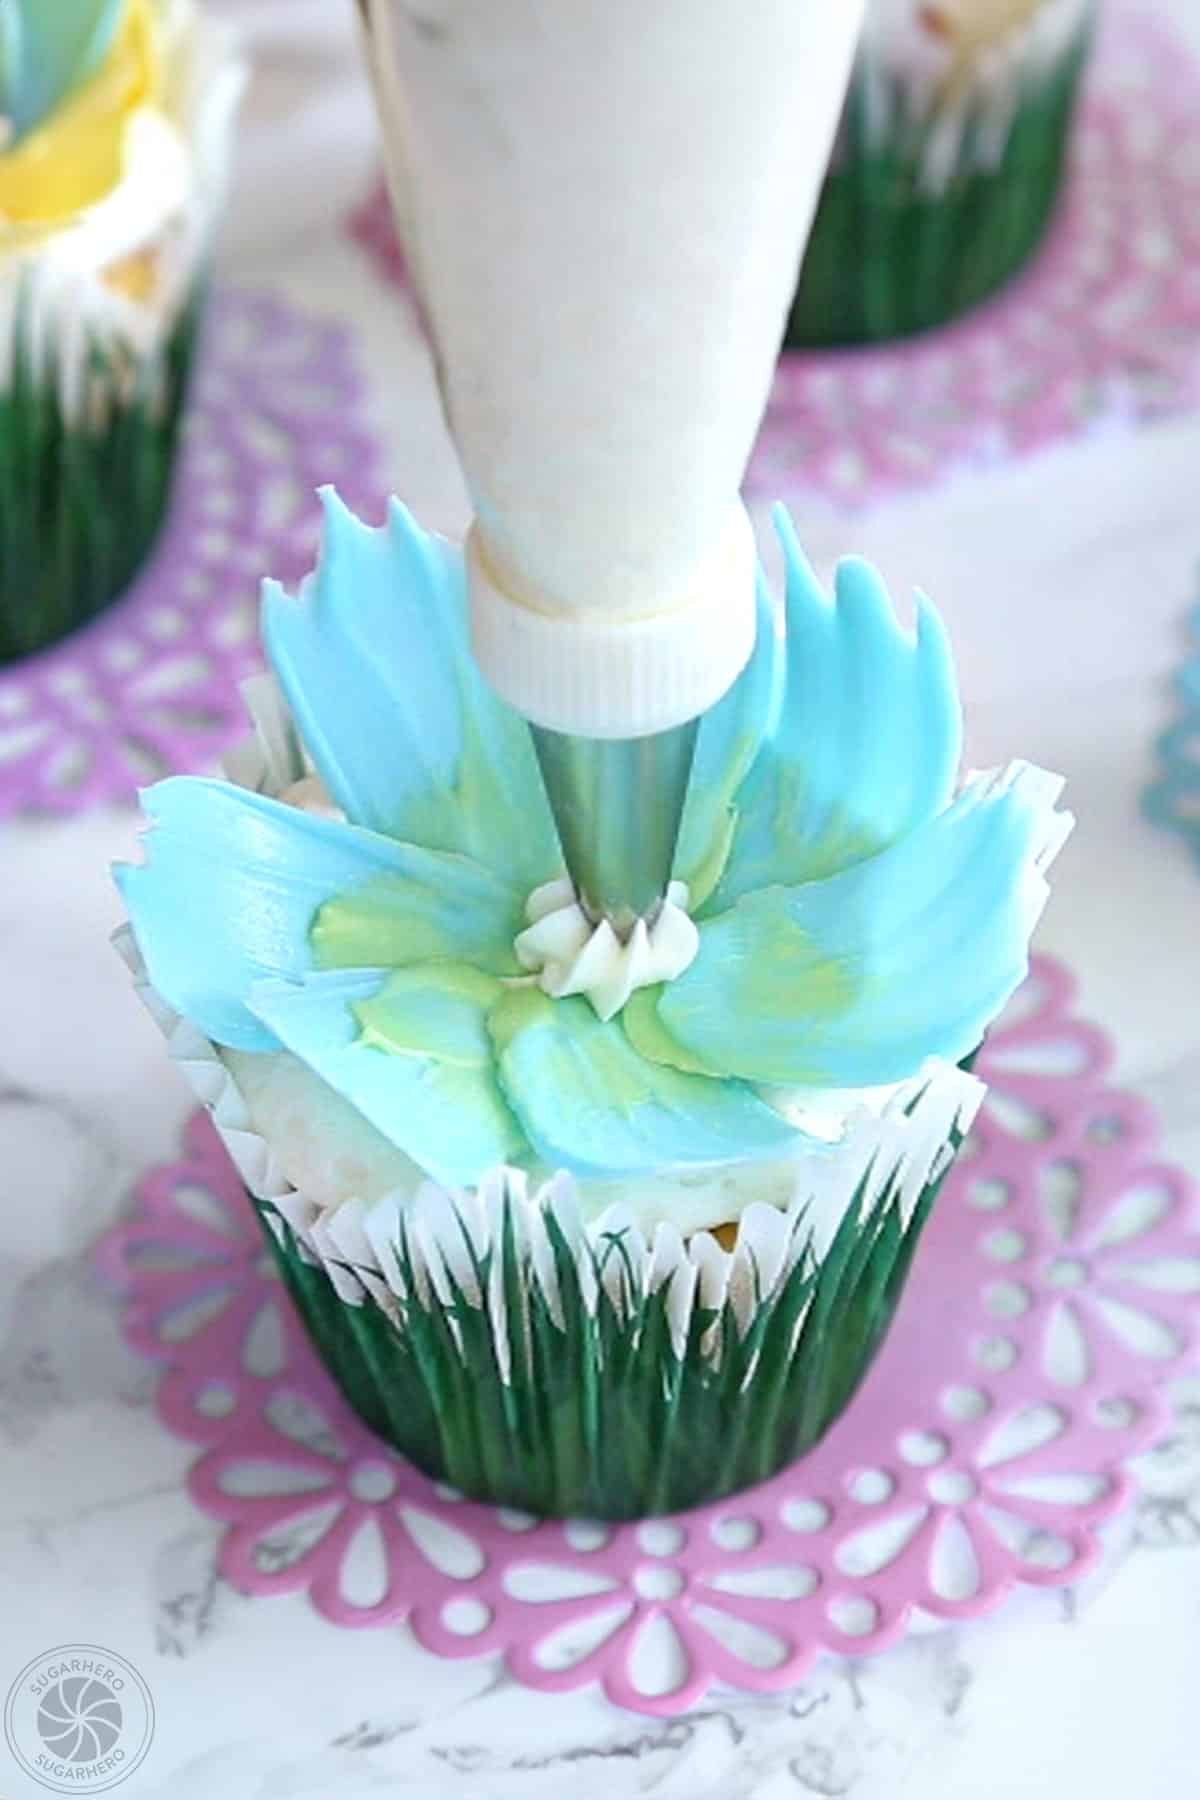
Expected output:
(409, 739)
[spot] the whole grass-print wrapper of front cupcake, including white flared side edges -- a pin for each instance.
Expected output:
(575, 1369)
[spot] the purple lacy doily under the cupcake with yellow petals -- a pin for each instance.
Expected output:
(150, 687)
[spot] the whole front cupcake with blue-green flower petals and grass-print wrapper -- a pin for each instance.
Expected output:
(577, 1225)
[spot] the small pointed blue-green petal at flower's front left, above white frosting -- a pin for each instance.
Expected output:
(413, 1056)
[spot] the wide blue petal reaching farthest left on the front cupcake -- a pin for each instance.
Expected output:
(233, 885)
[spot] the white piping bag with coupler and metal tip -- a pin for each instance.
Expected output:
(604, 208)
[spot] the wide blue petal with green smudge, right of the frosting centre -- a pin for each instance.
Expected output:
(855, 980)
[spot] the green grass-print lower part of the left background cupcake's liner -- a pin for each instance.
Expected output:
(87, 453)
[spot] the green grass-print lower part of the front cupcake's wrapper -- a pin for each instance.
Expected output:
(634, 1381)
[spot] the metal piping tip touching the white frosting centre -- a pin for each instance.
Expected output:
(618, 805)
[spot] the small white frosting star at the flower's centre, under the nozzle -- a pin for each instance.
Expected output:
(569, 955)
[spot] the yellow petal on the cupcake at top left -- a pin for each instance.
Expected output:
(78, 156)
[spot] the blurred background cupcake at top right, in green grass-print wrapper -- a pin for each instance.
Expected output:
(949, 165)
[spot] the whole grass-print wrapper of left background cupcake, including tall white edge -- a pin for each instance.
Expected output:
(93, 390)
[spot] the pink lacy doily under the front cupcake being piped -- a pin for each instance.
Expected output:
(1057, 1291)
